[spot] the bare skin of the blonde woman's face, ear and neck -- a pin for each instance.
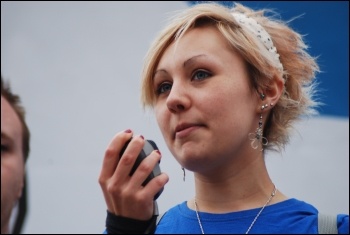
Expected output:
(205, 109)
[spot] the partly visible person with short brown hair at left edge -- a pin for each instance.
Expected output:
(15, 138)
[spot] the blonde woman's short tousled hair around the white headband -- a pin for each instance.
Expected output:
(299, 68)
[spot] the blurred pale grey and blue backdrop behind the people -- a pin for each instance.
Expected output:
(77, 66)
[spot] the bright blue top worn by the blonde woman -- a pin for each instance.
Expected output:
(291, 216)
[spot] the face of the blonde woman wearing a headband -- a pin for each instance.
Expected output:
(204, 105)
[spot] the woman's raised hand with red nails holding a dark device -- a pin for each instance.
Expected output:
(124, 194)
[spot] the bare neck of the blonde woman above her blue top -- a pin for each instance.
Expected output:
(234, 188)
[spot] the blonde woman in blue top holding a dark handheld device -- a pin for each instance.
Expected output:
(226, 85)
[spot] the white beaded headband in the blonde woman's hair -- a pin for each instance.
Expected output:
(254, 27)
